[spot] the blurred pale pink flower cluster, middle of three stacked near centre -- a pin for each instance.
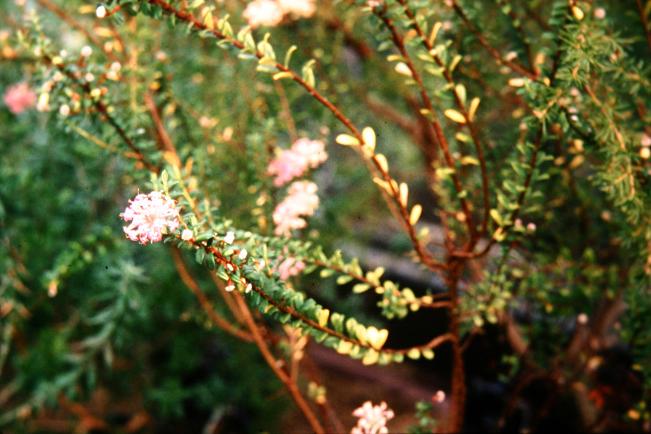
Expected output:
(301, 201)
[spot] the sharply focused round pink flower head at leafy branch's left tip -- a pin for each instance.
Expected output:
(149, 217)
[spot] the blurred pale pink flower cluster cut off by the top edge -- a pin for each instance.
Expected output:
(271, 12)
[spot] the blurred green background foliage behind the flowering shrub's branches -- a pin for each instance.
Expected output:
(90, 318)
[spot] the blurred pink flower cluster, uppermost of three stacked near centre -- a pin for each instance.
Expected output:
(294, 162)
